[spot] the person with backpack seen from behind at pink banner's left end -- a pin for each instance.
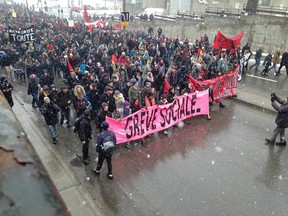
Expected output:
(106, 143)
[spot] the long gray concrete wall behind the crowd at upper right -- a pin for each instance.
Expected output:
(269, 32)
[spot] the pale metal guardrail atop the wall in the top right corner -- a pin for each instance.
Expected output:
(269, 10)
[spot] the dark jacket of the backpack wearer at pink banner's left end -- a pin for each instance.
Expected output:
(106, 142)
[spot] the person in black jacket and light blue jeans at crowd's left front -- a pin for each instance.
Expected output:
(50, 112)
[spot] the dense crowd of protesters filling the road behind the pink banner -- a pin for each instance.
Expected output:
(94, 70)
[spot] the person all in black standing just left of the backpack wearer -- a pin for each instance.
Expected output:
(85, 134)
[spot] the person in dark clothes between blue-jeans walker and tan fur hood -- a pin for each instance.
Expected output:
(64, 100)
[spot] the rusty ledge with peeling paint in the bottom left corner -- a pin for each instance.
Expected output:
(25, 186)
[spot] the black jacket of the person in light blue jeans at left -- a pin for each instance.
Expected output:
(50, 113)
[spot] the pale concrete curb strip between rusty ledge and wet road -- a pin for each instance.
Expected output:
(77, 199)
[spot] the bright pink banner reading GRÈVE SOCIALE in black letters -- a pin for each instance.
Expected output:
(157, 118)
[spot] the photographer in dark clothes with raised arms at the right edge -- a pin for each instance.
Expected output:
(281, 120)
